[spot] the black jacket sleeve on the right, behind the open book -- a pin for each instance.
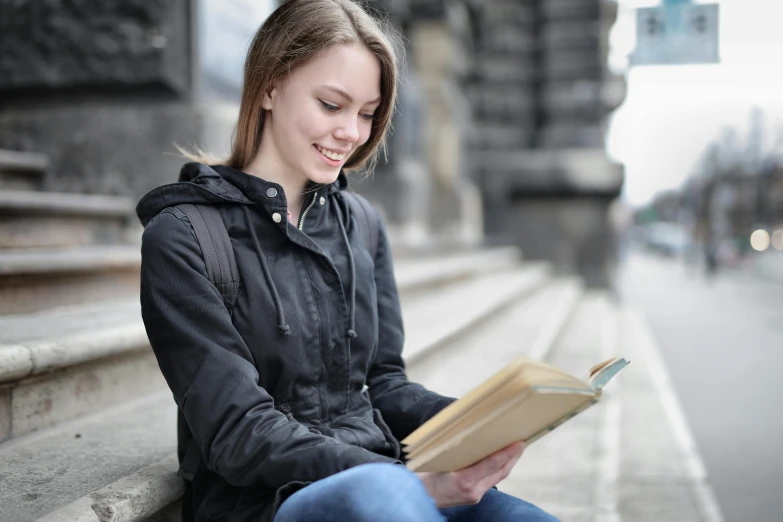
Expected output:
(404, 405)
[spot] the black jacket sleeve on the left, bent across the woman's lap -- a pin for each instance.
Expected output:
(209, 369)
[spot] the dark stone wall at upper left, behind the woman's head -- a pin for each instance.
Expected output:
(108, 89)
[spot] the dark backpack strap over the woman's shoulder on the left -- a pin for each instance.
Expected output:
(222, 271)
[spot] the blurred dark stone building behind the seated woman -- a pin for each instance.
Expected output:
(499, 138)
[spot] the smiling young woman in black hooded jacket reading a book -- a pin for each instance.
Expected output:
(297, 397)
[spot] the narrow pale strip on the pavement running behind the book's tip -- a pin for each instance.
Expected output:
(606, 487)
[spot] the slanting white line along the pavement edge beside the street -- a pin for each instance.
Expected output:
(661, 379)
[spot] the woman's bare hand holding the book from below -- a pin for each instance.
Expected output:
(468, 485)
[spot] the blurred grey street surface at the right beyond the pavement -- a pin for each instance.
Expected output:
(721, 340)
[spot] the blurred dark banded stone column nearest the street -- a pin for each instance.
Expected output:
(542, 83)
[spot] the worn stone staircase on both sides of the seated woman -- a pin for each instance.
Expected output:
(88, 426)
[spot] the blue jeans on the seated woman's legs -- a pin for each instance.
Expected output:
(391, 493)
